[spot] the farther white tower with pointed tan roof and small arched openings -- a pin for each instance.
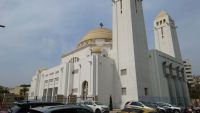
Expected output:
(166, 39)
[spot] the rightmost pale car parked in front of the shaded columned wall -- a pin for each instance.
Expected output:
(173, 108)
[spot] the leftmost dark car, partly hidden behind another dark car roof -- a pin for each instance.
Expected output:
(24, 106)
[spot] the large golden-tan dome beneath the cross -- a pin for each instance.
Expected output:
(99, 33)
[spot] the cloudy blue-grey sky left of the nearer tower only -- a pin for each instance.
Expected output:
(38, 32)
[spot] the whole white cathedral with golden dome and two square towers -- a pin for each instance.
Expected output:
(118, 64)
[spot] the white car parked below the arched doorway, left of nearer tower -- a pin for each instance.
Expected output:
(96, 106)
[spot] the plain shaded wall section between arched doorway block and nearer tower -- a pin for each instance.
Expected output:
(105, 79)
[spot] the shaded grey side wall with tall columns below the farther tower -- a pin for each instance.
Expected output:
(160, 84)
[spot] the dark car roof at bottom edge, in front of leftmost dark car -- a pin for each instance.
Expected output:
(61, 109)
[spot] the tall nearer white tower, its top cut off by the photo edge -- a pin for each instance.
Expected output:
(130, 50)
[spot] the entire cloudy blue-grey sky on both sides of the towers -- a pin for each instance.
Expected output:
(39, 32)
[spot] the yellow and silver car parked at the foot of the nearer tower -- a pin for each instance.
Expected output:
(139, 106)
